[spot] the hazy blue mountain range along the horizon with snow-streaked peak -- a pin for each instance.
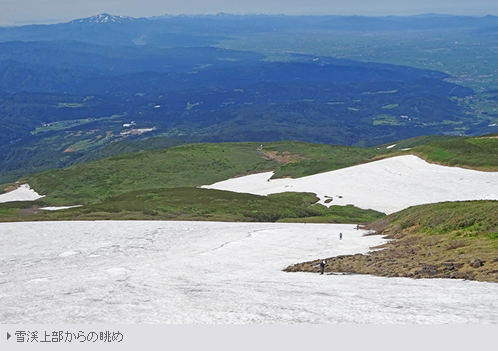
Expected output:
(188, 30)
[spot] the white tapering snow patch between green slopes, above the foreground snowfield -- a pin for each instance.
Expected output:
(388, 185)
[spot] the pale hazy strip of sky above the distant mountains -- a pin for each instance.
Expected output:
(44, 11)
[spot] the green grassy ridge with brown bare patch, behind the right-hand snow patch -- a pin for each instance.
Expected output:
(189, 166)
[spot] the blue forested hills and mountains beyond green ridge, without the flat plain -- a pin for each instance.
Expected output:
(68, 90)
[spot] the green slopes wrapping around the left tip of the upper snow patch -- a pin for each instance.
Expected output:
(130, 186)
